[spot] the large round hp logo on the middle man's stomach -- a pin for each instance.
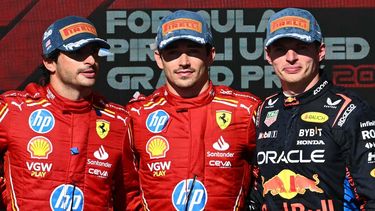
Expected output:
(190, 193)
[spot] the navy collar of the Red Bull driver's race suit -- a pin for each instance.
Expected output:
(315, 92)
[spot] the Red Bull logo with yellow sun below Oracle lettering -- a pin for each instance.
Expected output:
(288, 184)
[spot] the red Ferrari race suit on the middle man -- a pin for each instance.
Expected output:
(193, 154)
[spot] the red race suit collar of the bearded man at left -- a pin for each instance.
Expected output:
(67, 105)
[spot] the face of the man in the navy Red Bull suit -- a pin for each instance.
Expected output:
(296, 63)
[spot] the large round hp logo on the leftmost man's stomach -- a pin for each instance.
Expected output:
(66, 197)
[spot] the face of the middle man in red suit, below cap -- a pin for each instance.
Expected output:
(185, 64)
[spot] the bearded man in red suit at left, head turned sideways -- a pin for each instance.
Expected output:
(63, 146)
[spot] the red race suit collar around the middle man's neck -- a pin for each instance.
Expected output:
(187, 103)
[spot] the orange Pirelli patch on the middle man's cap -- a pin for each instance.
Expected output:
(182, 23)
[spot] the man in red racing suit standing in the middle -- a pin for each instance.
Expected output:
(193, 141)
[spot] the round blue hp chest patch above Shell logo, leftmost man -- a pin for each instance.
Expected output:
(41, 121)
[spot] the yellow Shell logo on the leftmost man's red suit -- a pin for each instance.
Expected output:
(39, 147)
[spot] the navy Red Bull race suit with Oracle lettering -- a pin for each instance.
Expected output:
(310, 147)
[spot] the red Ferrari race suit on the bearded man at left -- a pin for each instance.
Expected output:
(65, 155)
